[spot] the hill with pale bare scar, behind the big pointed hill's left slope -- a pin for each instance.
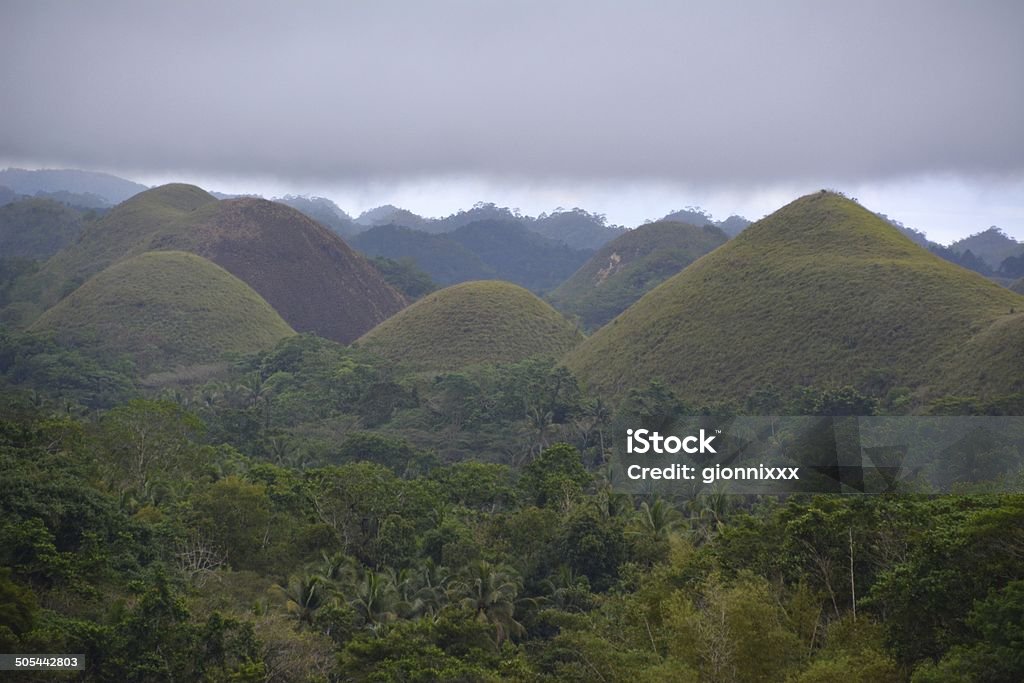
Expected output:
(631, 266)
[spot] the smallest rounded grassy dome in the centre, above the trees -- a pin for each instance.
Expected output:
(482, 322)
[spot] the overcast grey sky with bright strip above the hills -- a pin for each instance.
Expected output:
(631, 109)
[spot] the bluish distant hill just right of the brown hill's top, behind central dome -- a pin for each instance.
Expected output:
(443, 259)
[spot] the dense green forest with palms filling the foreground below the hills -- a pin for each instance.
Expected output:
(312, 514)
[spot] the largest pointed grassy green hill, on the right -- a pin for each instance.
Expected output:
(822, 292)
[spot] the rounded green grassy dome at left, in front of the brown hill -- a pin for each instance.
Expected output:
(165, 310)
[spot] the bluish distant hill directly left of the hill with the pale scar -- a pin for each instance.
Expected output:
(521, 257)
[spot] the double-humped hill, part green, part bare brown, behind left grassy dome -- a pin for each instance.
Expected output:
(309, 275)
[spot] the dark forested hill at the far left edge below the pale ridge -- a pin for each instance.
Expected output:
(37, 229)
